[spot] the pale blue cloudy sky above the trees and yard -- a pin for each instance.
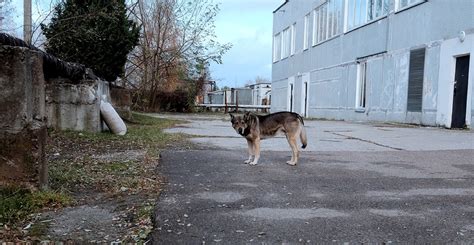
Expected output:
(247, 24)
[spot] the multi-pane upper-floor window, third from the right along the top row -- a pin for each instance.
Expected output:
(326, 21)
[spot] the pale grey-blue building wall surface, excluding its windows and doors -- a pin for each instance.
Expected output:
(385, 44)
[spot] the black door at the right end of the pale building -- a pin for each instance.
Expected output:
(460, 92)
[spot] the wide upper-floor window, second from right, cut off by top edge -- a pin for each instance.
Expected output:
(360, 12)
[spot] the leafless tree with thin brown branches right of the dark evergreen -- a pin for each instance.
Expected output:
(177, 43)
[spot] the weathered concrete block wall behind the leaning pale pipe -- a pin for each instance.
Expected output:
(73, 106)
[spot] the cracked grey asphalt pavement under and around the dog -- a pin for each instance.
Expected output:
(378, 191)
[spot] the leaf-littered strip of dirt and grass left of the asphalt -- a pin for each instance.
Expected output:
(112, 181)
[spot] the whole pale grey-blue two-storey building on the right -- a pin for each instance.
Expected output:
(403, 61)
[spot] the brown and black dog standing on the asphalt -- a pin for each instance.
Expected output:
(255, 128)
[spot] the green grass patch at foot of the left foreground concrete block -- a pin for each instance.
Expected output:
(17, 203)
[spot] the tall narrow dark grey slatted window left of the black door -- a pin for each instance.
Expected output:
(415, 80)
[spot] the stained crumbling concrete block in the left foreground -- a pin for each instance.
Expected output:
(23, 131)
